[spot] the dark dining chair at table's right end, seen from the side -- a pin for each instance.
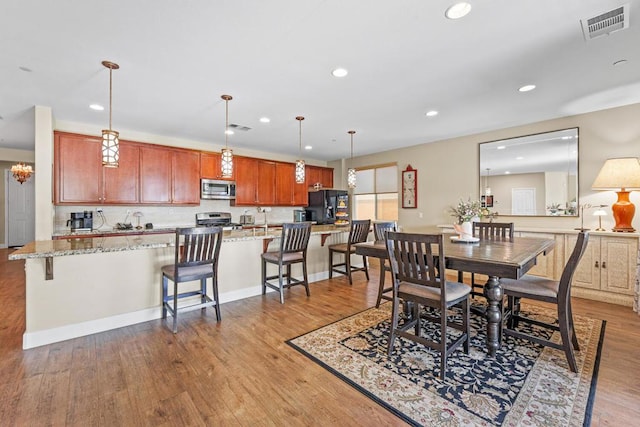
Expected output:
(550, 291)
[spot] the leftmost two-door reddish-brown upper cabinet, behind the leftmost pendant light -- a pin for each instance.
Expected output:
(80, 178)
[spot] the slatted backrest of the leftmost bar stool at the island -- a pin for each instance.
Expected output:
(197, 246)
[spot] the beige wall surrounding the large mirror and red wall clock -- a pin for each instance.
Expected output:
(448, 169)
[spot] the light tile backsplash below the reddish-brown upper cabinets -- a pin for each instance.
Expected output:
(168, 216)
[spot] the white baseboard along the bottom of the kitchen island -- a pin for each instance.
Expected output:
(63, 333)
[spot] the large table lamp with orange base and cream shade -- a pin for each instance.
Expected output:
(620, 175)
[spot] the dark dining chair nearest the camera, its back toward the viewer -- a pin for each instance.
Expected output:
(417, 283)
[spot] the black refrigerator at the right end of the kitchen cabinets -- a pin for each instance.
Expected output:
(328, 207)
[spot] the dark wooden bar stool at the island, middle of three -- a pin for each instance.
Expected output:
(293, 250)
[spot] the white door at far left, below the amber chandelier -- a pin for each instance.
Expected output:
(20, 209)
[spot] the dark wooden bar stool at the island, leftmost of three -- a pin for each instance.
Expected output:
(196, 258)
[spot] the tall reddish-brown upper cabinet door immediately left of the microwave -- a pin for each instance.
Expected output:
(186, 177)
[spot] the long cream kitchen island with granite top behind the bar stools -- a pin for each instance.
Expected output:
(79, 286)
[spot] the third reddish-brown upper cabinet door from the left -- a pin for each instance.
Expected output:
(155, 179)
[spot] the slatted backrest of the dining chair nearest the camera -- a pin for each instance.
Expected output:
(414, 258)
